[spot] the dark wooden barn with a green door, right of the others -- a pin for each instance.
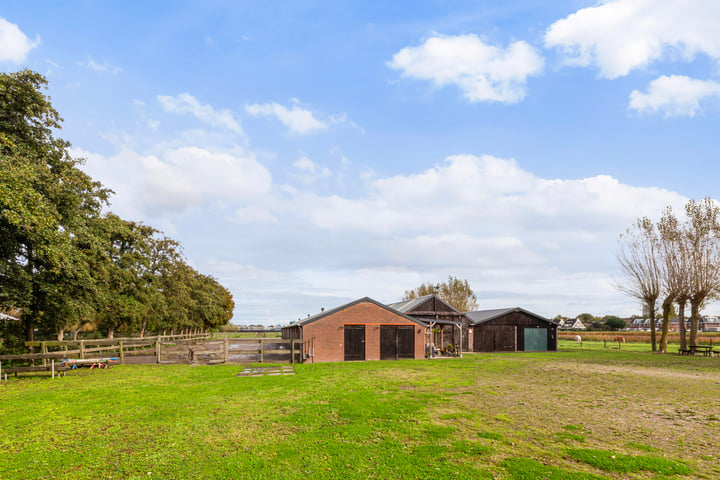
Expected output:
(511, 330)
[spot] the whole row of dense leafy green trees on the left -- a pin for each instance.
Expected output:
(65, 264)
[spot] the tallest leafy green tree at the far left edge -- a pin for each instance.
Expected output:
(45, 200)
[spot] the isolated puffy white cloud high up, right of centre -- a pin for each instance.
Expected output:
(481, 71)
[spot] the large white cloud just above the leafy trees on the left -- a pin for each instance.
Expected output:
(177, 180)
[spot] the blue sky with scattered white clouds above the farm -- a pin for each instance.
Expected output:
(309, 153)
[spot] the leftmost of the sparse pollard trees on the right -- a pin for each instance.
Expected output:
(638, 254)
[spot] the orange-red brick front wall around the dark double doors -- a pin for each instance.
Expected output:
(329, 332)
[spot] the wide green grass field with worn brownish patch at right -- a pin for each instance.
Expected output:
(587, 413)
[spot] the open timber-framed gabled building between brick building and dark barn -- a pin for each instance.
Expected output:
(448, 329)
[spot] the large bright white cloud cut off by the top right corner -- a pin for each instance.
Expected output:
(618, 36)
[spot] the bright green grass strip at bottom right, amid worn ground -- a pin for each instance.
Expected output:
(614, 462)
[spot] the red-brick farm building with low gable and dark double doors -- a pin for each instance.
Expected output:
(361, 330)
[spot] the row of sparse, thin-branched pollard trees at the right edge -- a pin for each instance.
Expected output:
(675, 261)
